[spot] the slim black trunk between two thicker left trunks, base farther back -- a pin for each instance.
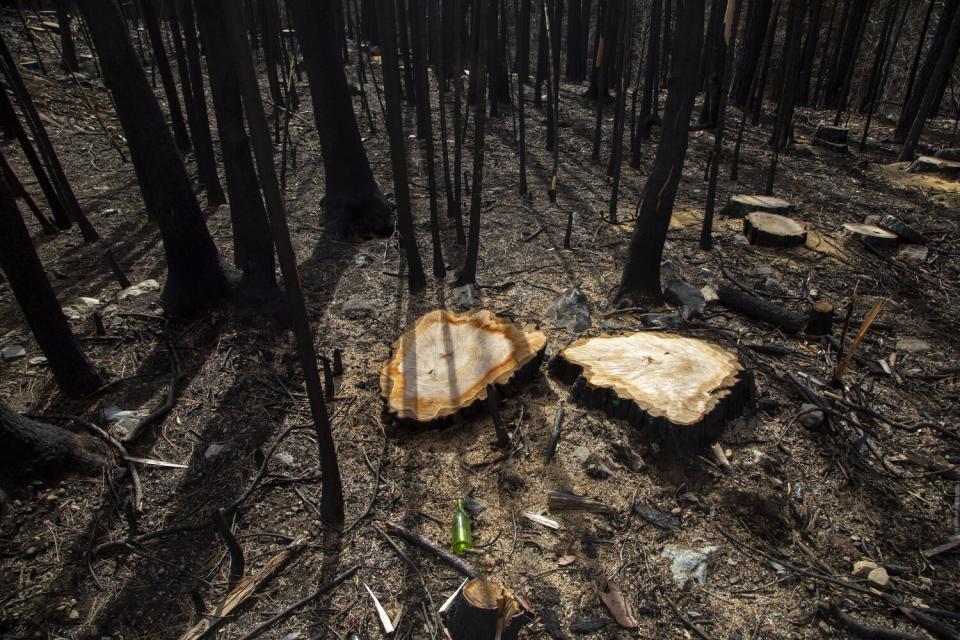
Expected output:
(197, 106)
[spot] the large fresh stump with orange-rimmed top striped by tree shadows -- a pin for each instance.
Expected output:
(445, 361)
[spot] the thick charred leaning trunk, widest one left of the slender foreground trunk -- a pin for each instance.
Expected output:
(195, 274)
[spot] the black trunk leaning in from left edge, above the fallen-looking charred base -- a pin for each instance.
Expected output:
(71, 369)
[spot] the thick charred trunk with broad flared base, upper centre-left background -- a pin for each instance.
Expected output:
(353, 201)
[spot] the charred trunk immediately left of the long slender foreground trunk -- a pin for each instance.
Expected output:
(252, 244)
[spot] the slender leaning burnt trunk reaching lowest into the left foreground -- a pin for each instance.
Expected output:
(332, 498)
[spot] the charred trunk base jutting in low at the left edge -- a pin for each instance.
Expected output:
(28, 446)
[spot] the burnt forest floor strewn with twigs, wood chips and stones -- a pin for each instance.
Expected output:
(812, 499)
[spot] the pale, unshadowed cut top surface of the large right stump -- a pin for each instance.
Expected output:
(680, 379)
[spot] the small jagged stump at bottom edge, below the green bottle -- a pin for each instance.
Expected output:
(483, 608)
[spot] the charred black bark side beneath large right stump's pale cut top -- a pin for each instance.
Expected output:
(681, 438)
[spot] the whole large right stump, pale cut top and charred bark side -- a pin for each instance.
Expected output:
(679, 391)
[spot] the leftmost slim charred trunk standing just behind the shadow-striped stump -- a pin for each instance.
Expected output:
(398, 152)
